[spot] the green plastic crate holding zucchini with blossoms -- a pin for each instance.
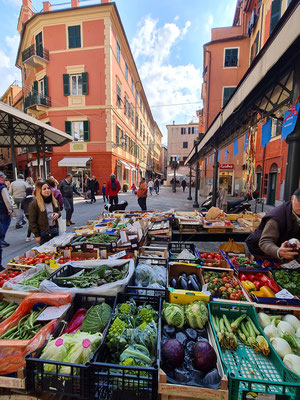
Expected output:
(249, 371)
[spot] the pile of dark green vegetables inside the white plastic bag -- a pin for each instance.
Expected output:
(94, 277)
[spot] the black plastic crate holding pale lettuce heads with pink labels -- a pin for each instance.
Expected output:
(77, 383)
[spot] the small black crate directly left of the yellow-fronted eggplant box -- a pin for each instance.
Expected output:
(131, 288)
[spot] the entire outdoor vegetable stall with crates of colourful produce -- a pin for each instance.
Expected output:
(118, 309)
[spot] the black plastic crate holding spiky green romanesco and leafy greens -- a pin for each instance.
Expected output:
(110, 381)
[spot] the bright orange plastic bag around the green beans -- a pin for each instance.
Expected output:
(13, 352)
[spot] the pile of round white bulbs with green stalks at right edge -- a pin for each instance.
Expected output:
(284, 334)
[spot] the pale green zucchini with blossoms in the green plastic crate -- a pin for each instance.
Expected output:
(243, 328)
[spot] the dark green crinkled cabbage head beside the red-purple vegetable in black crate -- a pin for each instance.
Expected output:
(96, 318)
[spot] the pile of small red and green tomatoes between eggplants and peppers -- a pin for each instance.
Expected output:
(221, 284)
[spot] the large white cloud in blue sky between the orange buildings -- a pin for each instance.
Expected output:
(165, 84)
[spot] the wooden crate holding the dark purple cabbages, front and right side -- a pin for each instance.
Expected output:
(169, 391)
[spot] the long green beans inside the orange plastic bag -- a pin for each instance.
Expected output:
(26, 328)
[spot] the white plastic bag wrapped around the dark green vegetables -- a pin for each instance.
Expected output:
(110, 289)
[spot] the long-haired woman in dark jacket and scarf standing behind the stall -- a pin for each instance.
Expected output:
(43, 214)
